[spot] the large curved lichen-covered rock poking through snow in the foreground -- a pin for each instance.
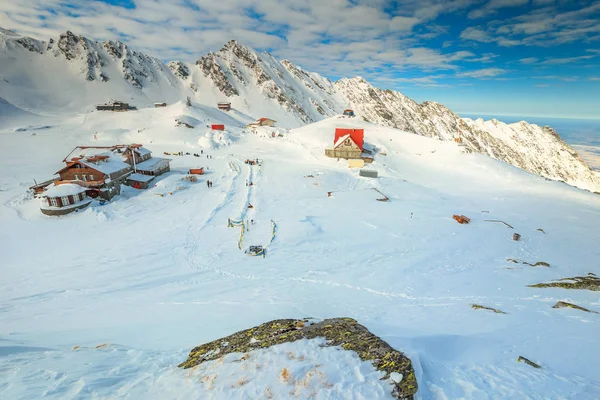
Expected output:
(343, 332)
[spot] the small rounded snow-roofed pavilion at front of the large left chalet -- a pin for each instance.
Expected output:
(64, 199)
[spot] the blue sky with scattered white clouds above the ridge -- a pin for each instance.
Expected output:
(498, 57)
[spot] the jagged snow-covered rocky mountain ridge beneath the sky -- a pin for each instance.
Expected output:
(72, 73)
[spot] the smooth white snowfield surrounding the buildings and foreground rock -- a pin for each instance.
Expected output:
(138, 282)
